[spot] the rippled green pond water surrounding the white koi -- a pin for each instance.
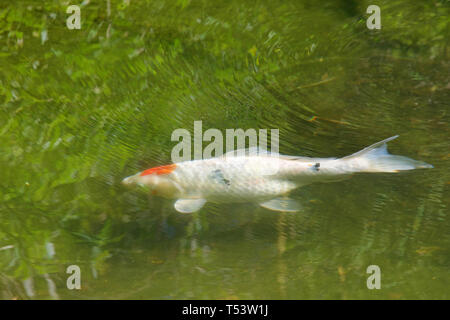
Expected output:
(82, 109)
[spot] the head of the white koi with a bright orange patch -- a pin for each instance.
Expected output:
(156, 180)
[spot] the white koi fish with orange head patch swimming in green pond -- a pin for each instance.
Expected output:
(260, 176)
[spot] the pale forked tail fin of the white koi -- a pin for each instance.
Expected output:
(376, 158)
